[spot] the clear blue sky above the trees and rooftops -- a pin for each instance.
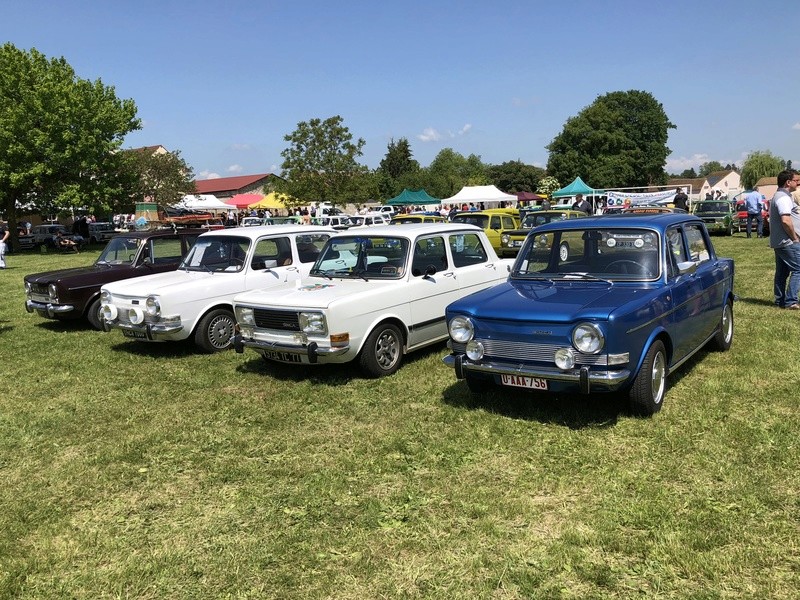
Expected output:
(224, 82)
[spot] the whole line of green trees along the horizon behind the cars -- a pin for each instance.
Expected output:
(61, 149)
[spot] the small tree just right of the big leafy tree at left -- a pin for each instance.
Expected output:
(162, 177)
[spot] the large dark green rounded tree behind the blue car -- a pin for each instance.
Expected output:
(620, 140)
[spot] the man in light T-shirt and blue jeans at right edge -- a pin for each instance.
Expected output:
(784, 239)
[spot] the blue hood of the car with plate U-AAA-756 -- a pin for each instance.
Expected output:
(559, 302)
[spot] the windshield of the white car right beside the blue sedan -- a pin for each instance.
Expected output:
(363, 257)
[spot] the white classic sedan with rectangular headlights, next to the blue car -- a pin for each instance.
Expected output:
(373, 295)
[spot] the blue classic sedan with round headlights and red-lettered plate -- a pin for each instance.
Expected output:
(602, 304)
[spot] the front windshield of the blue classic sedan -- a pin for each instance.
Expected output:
(596, 254)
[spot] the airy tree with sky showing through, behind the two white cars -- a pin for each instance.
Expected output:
(320, 164)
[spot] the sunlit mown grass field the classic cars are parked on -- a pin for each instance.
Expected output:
(130, 470)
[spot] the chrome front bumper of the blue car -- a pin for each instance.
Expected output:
(584, 378)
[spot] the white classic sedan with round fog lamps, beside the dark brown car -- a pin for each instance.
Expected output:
(197, 299)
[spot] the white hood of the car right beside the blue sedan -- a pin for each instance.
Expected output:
(316, 292)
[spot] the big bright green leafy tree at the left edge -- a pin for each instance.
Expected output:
(58, 133)
